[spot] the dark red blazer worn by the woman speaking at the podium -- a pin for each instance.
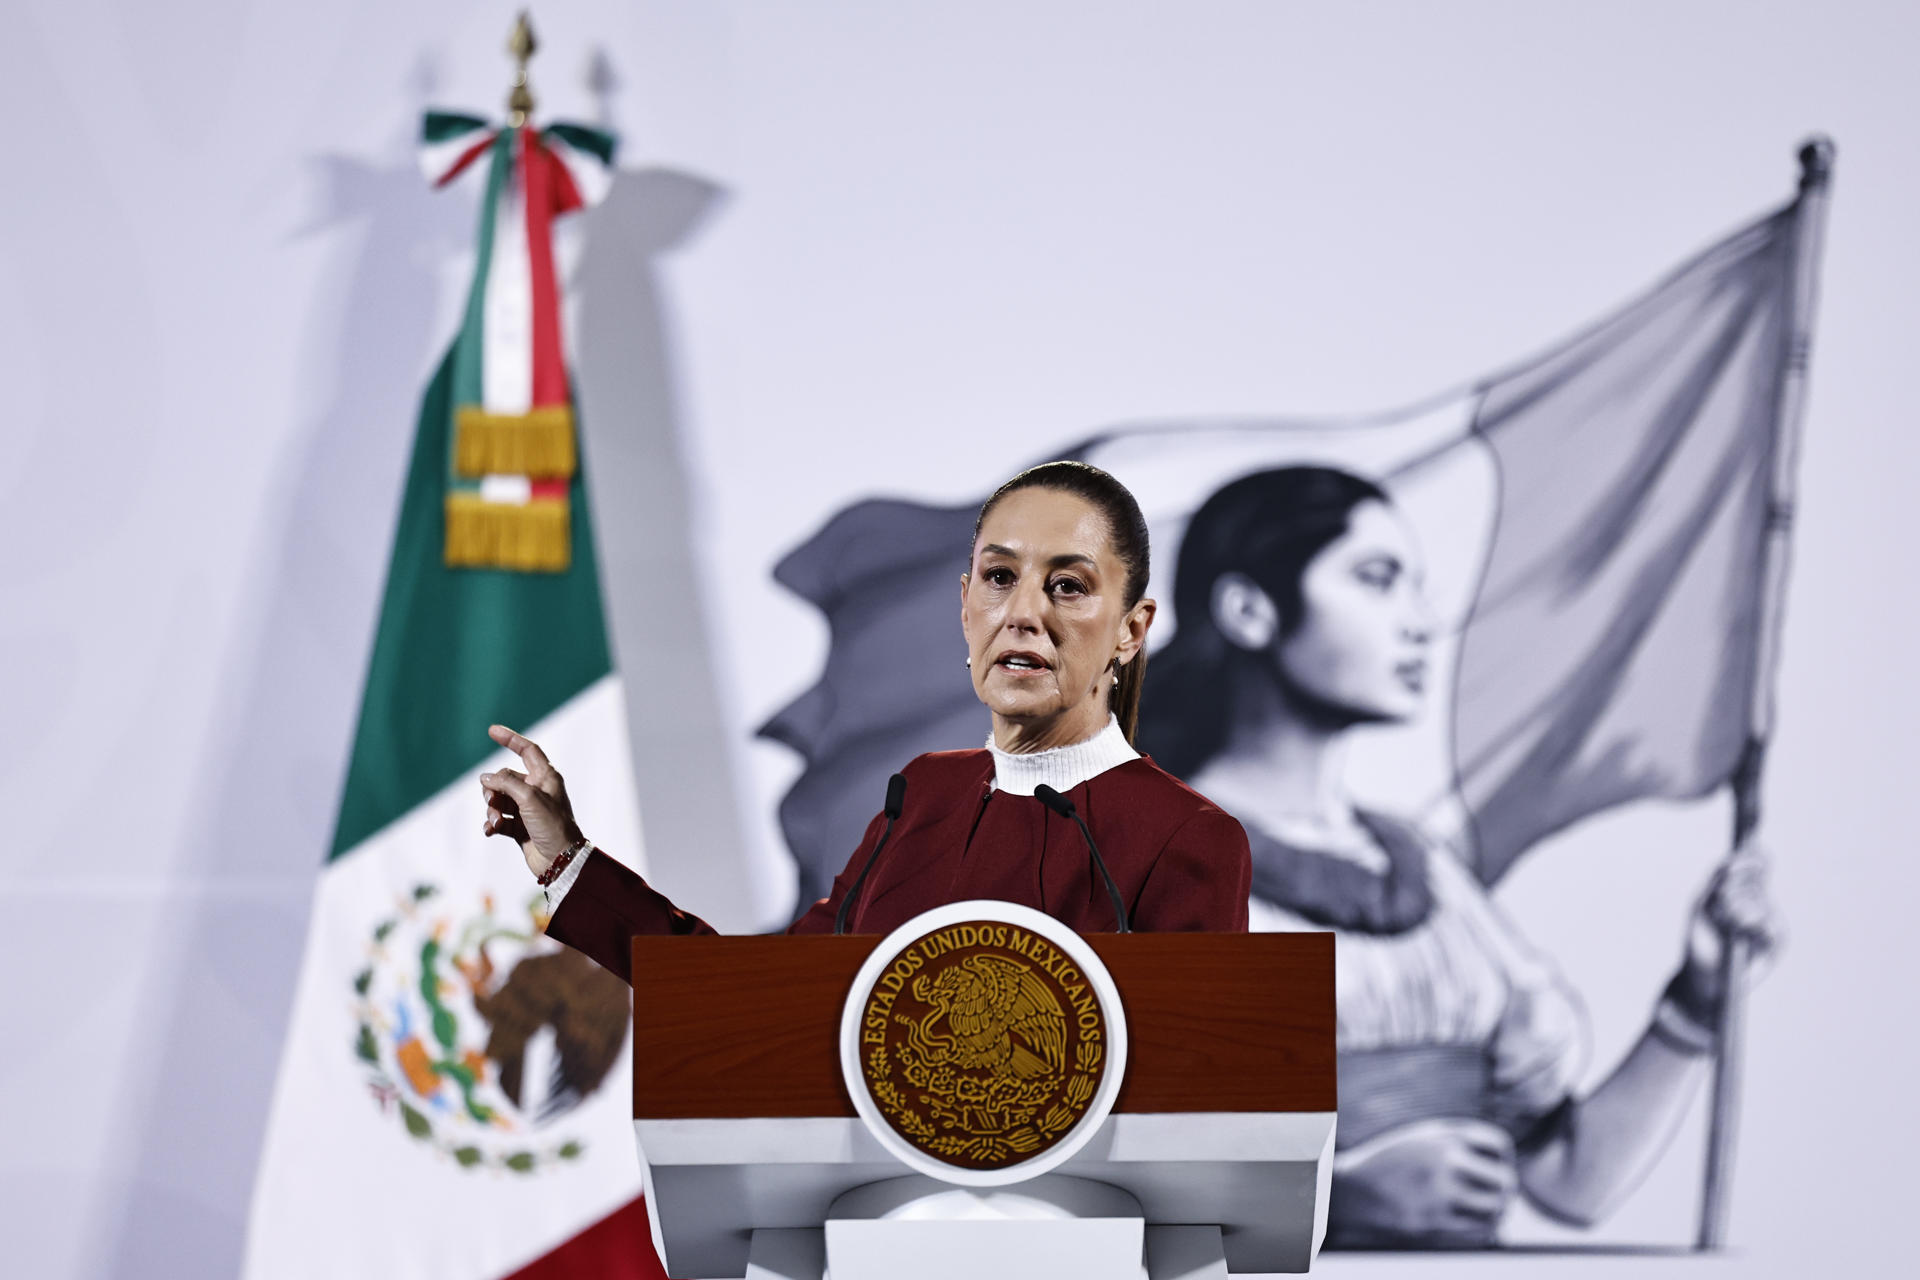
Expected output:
(1182, 863)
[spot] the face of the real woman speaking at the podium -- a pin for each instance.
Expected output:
(1045, 615)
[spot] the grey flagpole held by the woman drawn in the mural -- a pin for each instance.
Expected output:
(1810, 231)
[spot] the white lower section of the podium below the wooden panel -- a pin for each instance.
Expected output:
(746, 1198)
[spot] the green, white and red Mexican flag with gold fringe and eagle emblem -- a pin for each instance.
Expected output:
(454, 1091)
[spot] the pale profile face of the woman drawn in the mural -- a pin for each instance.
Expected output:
(1360, 646)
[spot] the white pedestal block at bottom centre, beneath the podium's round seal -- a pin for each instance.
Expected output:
(1036, 1231)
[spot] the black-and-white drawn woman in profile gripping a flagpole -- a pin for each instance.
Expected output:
(1301, 617)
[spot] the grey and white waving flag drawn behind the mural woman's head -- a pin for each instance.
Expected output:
(1596, 523)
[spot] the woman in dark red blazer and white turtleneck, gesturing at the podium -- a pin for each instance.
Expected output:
(1053, 621)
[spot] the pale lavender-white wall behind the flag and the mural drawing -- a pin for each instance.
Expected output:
(865, 249)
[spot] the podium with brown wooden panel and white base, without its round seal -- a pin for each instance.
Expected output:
(1222, 1129)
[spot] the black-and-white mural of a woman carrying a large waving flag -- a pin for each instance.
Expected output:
(1406, 652)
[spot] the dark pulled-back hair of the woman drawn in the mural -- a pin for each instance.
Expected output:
(1268, 527)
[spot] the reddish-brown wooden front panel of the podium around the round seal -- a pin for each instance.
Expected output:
(750, 1028)
